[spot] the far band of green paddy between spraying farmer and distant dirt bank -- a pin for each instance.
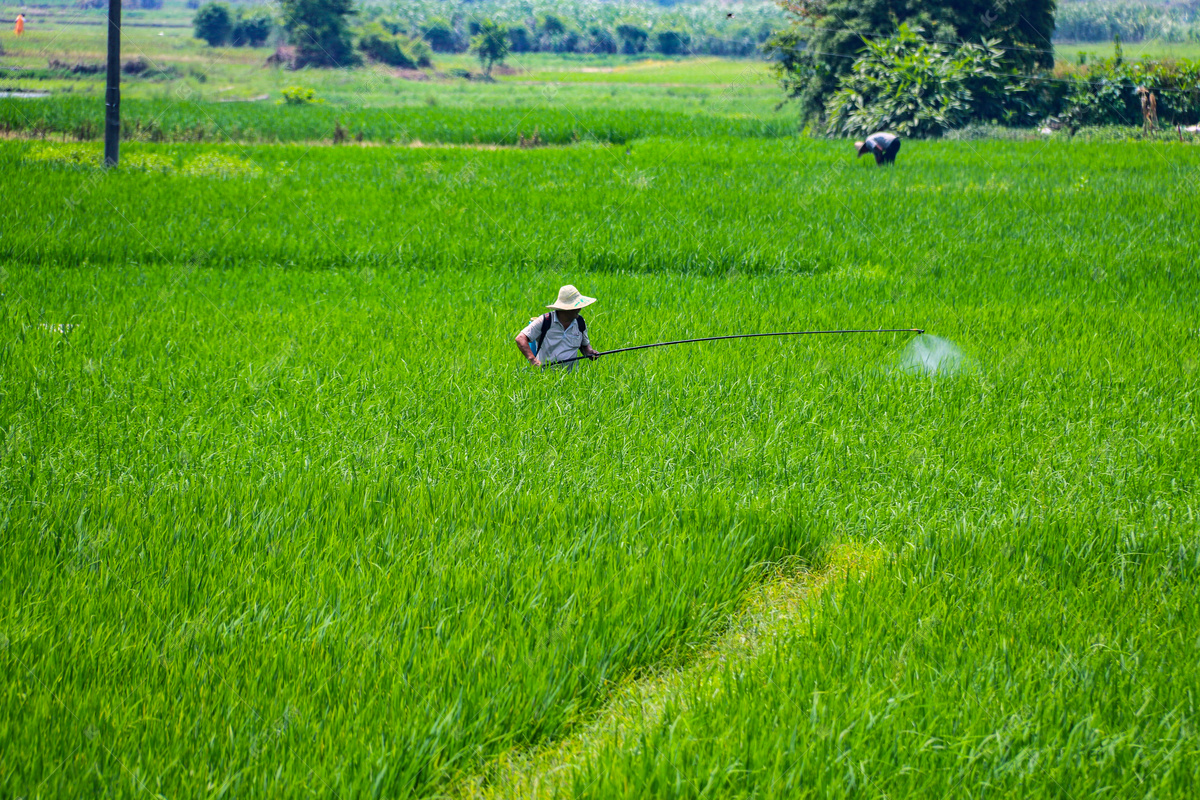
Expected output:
(701, 207)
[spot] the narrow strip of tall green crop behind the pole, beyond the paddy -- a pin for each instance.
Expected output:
(562, 118)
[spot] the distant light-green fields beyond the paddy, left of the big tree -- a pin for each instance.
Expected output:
(183, 95)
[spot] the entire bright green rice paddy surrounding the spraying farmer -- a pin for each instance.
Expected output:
(285, 514)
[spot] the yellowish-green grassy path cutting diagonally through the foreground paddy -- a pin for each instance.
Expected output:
(773, 609)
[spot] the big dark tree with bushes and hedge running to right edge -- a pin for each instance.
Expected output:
(857, 67)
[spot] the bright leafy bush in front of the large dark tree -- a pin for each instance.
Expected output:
(909, 86)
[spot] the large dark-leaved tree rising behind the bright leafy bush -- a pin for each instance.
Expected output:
(826, 37)
